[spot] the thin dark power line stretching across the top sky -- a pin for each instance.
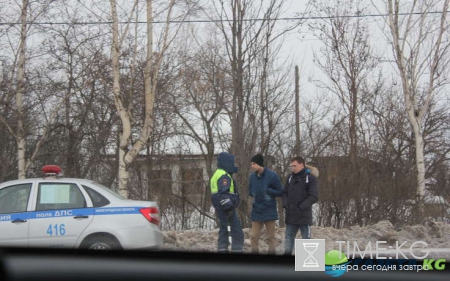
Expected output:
(224, 20)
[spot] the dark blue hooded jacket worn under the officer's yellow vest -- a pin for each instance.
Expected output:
(225, 162)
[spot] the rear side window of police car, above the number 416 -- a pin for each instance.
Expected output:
(53, 196)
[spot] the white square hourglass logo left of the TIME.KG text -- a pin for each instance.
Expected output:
(309, 254)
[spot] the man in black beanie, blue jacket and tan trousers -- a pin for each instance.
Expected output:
(264, 186)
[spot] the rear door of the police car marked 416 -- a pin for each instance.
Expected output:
(62, 213)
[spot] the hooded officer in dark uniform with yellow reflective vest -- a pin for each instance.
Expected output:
(225, 200)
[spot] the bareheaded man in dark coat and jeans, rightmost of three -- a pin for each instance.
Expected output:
(299, 194)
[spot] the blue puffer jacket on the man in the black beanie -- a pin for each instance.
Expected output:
(264, 188)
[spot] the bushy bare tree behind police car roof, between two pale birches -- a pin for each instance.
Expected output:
(75, 66)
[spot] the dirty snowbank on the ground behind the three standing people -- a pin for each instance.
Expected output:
(436, 235)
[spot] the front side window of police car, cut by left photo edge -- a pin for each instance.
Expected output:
(14, 199)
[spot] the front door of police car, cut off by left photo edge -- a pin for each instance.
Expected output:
(14, 218)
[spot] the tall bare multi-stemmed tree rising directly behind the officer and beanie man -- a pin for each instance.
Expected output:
(249, 44)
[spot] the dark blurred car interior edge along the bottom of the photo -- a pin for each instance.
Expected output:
(27, 264)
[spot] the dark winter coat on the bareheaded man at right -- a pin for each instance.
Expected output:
(299, 194)
